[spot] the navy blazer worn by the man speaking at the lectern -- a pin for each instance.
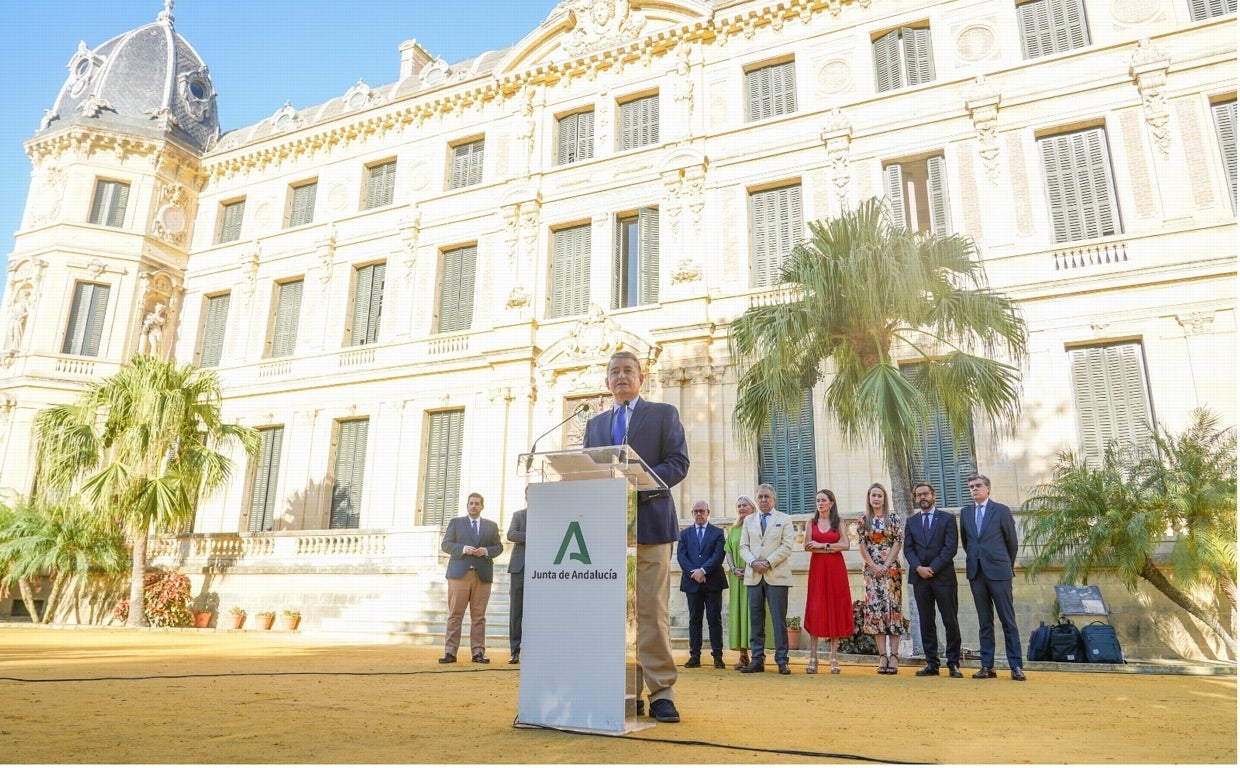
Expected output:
(655, 432)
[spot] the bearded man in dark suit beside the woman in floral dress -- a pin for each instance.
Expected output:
(931, 544)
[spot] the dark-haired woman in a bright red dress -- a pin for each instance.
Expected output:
(829, 600)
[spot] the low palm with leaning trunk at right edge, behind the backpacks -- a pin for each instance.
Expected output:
(1117, 516)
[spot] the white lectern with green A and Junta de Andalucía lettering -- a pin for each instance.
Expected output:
(580, 525)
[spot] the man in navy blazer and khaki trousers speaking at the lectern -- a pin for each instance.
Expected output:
(655, 432)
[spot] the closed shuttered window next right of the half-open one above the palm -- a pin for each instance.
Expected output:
(1081, 189)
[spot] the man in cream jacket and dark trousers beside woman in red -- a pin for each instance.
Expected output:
(767, 548)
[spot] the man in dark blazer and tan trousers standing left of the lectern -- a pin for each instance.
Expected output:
(473, 544)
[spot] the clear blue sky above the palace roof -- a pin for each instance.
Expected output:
(260, 53)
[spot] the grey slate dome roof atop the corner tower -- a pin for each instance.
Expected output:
(148, 81)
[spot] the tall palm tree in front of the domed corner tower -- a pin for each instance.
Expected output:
(142, 446)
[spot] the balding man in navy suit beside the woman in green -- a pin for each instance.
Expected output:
(704, 581)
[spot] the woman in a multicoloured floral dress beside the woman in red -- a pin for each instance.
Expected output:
(881, 534)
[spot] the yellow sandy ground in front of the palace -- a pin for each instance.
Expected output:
(135, 697)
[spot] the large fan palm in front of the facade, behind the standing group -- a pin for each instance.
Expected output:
(855, 292)
